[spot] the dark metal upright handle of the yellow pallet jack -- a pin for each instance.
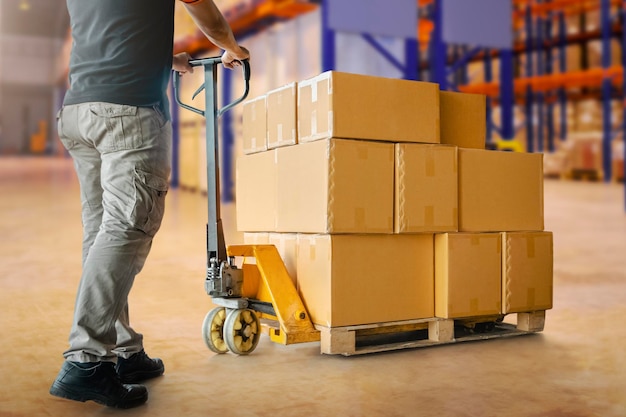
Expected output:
(216, 245)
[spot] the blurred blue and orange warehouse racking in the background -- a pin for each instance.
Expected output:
(533, 73)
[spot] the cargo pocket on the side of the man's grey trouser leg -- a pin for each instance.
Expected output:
(150, 191)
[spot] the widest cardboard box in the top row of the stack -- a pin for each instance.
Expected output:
(351, 106)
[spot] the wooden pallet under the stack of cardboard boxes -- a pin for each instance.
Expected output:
(381, 337)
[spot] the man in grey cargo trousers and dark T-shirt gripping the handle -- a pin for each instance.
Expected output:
(115, 124)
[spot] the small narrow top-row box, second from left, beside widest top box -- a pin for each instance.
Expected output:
(282, 116)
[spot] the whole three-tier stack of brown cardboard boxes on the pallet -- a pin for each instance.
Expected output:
(384, 205)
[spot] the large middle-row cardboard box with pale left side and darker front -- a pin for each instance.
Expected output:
(335, 186)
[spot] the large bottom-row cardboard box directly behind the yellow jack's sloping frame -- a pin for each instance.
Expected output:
(359, 279)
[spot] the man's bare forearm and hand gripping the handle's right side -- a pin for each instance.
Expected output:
(212, 23)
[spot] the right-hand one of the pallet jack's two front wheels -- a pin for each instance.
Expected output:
(242, 331)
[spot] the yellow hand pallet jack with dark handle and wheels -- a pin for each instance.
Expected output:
(257, 290)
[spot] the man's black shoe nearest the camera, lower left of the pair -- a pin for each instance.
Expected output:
(97, 382)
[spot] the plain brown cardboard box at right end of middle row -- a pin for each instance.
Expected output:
(500, 191)
